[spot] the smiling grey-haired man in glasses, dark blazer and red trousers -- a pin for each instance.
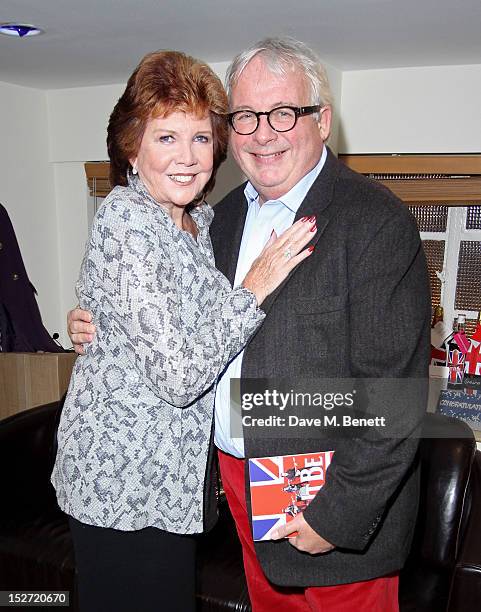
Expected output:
(358, 307)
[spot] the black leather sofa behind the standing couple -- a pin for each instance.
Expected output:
(443, 573)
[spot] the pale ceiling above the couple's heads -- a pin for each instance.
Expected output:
(94, 42)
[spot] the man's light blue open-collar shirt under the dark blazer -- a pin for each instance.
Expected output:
(277, 215)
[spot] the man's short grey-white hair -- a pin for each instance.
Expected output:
(283, 55)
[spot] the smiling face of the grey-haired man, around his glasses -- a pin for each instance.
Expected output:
(276, 161)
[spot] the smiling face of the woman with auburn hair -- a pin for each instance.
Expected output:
(175, 158)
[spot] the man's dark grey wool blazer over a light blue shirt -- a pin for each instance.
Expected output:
(358, 307)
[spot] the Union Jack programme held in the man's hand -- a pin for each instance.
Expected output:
(282, 487)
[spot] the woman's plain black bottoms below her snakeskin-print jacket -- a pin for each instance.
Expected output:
(149, 570)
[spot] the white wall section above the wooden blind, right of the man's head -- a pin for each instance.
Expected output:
(411, 110)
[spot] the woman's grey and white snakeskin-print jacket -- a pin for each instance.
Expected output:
(136, 424)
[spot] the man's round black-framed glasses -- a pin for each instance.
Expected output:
(281, 119)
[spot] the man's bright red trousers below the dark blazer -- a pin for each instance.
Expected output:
(377, 595)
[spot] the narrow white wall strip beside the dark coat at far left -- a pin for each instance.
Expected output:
(26, 191)
